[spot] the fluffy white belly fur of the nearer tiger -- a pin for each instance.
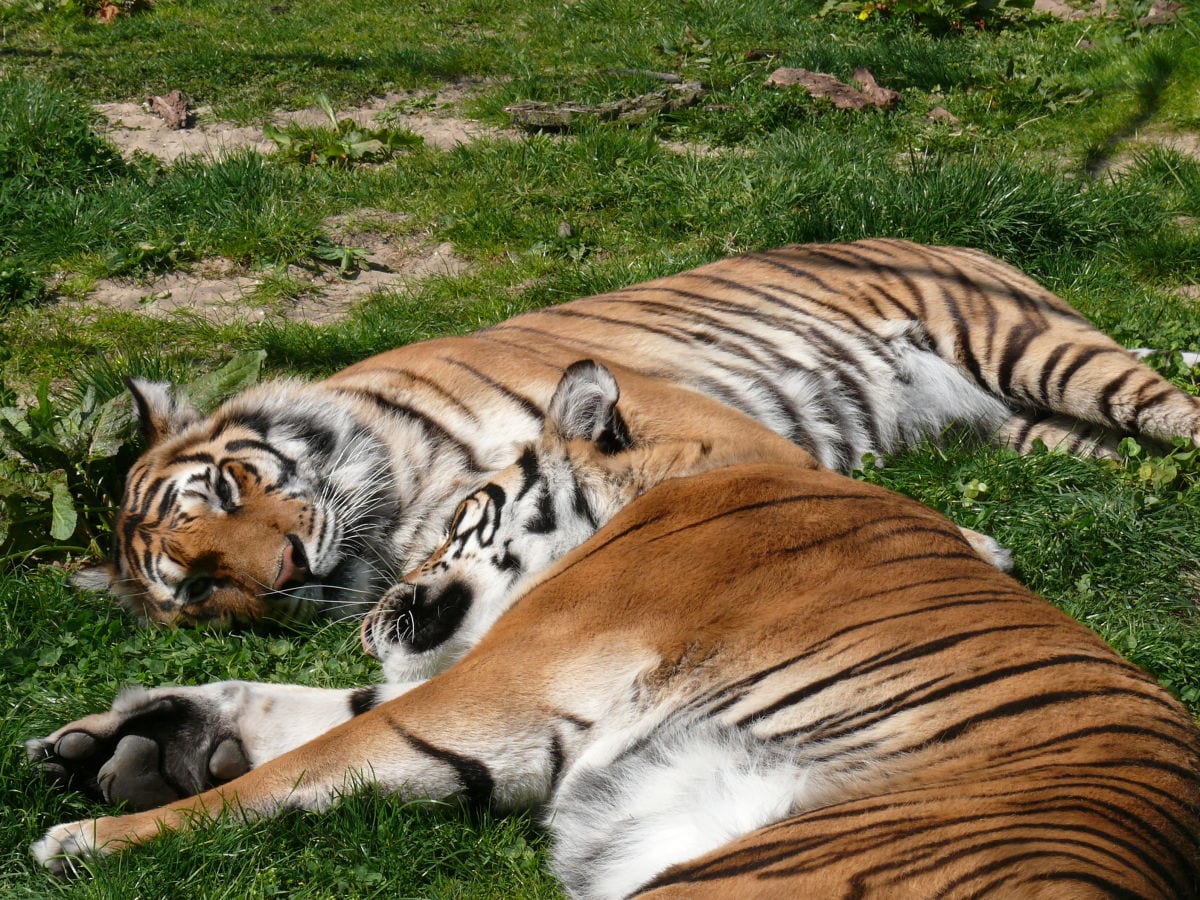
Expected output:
(638, 805)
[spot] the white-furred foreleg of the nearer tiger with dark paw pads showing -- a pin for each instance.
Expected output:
(159, 746)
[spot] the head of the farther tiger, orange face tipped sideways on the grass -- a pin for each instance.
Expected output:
(271, 508)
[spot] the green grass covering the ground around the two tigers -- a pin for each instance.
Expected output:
(1042, 109)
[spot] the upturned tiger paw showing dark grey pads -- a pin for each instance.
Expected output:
(149, 749)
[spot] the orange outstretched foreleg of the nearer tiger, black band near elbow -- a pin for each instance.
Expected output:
(413, 747)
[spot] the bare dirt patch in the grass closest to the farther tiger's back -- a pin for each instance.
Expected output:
(221, 292)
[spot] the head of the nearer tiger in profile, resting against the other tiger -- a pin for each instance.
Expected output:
(587, 465)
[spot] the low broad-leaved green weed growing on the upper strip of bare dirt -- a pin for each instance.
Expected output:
(343, 143)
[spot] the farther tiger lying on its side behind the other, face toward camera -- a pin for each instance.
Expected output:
(295, 499)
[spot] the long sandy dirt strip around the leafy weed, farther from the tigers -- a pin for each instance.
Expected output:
(133, 128)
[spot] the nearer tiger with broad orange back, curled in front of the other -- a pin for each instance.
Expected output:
(760, 681)
